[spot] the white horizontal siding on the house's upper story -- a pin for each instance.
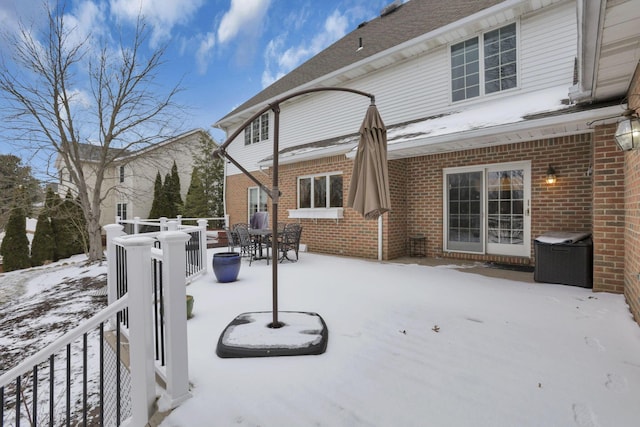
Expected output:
(420, 87)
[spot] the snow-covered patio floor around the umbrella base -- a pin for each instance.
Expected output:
(414, 345)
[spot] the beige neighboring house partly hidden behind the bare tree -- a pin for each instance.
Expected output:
(128, 187)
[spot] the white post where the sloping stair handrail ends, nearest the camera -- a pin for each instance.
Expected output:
(143, 380)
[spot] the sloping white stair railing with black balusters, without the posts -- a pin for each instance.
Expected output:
(31, 392)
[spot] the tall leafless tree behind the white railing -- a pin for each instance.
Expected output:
(121, 112)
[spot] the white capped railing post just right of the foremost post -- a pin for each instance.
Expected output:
(174, 265)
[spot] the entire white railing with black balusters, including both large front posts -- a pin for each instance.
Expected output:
(147, 290)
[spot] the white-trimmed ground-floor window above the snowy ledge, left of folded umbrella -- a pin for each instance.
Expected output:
(320, 191)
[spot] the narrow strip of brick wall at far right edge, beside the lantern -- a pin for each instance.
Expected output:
(632, 211)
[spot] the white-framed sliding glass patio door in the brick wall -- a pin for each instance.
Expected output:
(487, 209)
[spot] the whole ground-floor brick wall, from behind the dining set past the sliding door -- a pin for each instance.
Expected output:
(416, 192)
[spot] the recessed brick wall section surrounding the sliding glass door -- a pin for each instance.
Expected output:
(565, 205)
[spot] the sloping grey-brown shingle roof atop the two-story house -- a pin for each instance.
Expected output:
(401, 24)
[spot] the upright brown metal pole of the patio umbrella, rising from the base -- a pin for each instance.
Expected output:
(275, 196)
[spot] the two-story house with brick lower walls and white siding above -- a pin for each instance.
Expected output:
(480, 99)
